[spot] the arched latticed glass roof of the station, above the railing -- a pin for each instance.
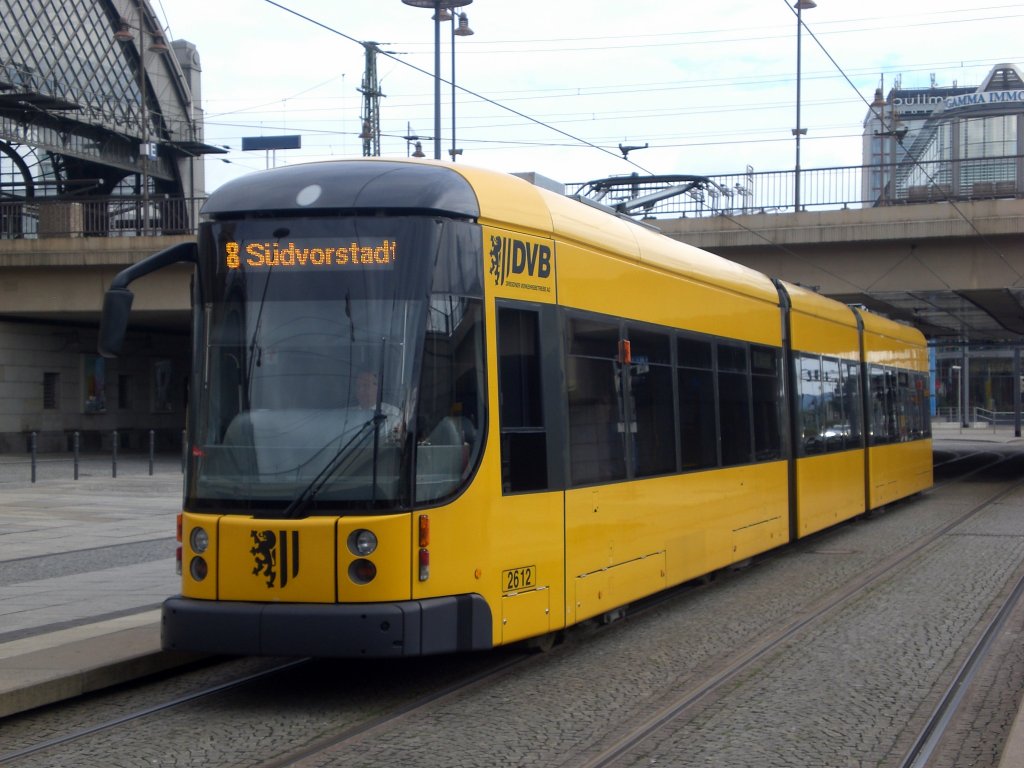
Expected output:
(95, 101)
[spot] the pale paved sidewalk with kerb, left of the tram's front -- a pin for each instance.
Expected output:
(84, 566)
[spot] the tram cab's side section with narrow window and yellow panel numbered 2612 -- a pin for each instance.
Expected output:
(533, 518)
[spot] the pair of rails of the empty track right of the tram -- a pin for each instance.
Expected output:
(692, 699)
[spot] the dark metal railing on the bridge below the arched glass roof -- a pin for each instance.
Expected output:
(99, 218)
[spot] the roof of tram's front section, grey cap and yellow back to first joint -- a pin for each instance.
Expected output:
(490, 197)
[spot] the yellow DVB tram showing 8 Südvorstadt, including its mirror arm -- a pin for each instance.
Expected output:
(438, 409)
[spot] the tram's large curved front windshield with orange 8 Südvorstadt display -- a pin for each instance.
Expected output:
(339, 366)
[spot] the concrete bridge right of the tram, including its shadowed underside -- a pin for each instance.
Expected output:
(956, 271)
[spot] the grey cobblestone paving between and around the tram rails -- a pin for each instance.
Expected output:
(850, 691)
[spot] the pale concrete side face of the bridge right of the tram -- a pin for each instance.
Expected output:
(936, 247)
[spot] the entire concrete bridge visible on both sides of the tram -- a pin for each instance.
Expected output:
(954, 270)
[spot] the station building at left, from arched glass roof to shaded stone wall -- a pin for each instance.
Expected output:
(101, 139)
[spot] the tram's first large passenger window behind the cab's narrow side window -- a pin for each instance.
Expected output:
(598, 419)
